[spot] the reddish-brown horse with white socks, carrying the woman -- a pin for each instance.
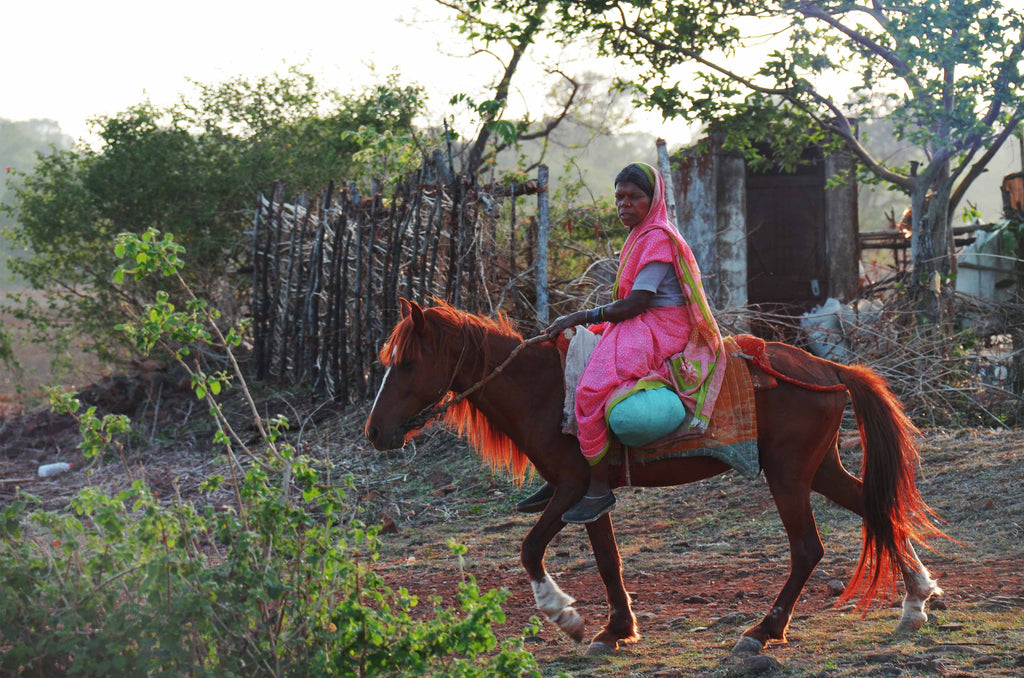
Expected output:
(516, 419)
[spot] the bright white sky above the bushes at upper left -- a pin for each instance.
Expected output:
(72, 61)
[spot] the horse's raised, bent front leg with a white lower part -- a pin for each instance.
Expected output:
(556, 604)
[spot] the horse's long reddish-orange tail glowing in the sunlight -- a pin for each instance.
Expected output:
(894, 512)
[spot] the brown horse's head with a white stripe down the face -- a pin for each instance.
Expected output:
(418, 376)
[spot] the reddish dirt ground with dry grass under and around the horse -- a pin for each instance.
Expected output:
(702, 563)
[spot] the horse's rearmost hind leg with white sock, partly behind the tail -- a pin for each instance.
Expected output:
(835, 483)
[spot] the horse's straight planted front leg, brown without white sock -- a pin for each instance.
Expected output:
(622, 626)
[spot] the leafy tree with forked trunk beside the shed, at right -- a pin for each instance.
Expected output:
(951, 74)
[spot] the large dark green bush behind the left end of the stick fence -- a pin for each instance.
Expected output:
(193, 172)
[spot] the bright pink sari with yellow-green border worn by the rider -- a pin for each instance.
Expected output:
(678, 347)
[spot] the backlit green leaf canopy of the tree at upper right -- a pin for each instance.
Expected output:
(943, 65)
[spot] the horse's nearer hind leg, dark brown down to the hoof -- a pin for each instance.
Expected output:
(794, 501)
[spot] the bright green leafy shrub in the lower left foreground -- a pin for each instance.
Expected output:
(278, 581)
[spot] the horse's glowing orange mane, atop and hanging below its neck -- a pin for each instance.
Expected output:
(447, 326)
